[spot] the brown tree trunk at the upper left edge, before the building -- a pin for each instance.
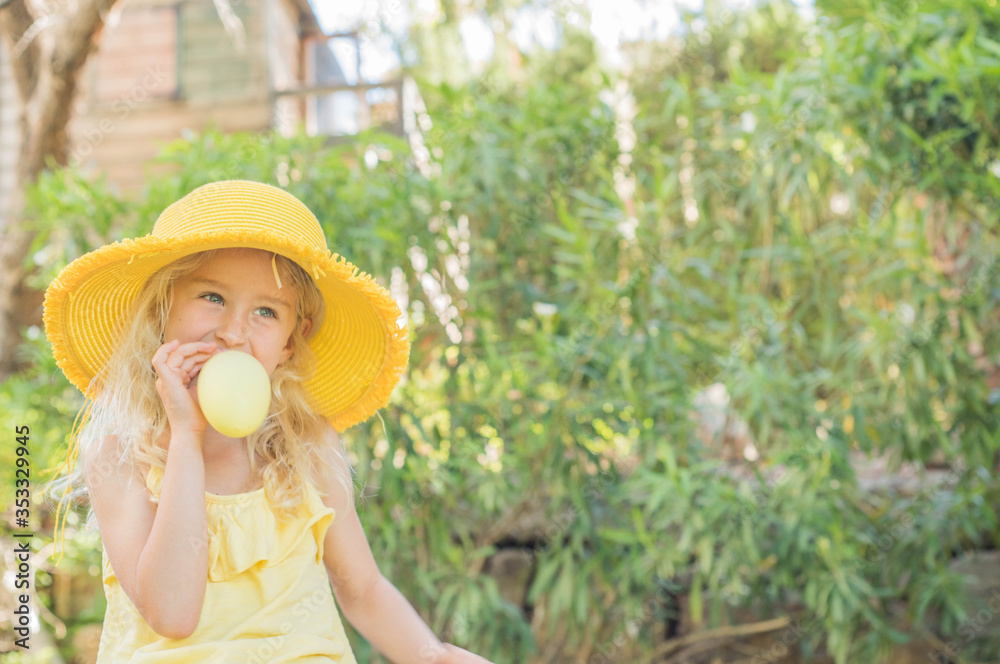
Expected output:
(48, 51)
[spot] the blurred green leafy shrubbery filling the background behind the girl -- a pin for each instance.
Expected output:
(705, 344)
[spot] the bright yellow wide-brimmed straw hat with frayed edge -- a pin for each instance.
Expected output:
(361, 345)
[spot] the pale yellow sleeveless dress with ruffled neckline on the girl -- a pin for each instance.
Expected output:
(268, 597)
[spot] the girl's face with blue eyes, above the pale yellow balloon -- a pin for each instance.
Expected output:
(233, 300)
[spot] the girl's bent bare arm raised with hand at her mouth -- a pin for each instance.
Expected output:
(159, 553)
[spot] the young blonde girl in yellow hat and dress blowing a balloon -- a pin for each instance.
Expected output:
(223, 550)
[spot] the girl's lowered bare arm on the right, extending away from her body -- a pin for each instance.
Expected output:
(368, 600)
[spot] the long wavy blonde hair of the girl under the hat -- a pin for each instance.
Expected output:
(129, 411)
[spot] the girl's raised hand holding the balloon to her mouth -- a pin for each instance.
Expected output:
(176, 365)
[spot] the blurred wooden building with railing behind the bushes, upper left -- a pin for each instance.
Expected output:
(167, 66)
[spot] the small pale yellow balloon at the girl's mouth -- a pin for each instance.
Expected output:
(234, 392)
